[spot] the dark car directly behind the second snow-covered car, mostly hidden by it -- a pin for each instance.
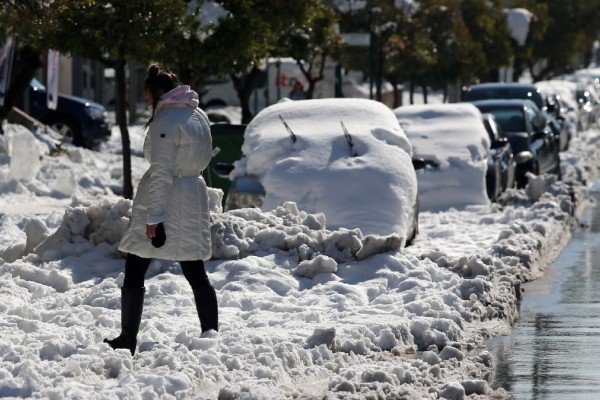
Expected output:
(501, 161)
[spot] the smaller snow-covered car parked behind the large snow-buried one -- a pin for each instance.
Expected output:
(453, 141)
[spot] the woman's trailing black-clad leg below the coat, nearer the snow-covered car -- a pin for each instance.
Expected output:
(204, 294)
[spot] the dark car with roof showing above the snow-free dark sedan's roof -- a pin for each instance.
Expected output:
(517, 90)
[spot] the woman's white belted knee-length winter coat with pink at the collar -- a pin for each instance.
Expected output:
(179, 146)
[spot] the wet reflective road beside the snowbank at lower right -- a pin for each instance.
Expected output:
(554, 350)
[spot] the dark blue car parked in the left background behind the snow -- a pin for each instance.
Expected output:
(78, 120)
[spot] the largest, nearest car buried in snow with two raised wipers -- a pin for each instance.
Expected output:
(348, 159)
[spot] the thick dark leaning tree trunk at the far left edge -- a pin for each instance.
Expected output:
(27, 61)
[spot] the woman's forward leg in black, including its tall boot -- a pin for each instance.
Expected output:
(132, 303)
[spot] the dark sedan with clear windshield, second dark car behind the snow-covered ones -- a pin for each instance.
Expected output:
(535, 146)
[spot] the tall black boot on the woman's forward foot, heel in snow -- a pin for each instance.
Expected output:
(132, 303)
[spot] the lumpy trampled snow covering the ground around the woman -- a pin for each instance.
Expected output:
(305, 311)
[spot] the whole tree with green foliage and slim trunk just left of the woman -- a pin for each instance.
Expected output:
(113, 32)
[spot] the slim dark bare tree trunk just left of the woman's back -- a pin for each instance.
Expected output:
(122, 122)
